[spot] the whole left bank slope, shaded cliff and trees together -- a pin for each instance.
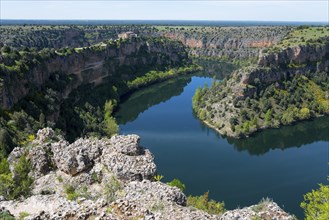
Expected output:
(68, 88)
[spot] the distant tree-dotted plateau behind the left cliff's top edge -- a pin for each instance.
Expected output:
(60, 36)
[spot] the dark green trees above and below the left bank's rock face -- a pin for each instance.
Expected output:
(88, 110)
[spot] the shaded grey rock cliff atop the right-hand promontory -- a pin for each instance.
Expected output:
(278, 66)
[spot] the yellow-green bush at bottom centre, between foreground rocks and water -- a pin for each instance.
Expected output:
(203, 203)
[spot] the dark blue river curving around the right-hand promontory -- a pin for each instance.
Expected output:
(282, 164)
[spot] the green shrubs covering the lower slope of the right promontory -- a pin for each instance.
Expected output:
(299, 97)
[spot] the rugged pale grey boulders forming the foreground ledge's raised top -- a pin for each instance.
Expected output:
(121, 154)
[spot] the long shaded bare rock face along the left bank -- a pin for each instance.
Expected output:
(91, 65)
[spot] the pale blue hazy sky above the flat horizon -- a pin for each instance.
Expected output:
(266, 10)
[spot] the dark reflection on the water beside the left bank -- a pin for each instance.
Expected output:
(141, 100)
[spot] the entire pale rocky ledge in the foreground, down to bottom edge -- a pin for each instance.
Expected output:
(105, 179)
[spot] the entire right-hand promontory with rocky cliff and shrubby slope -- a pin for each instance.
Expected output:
(287, 84)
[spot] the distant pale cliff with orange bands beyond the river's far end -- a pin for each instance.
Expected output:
(232, 42)
